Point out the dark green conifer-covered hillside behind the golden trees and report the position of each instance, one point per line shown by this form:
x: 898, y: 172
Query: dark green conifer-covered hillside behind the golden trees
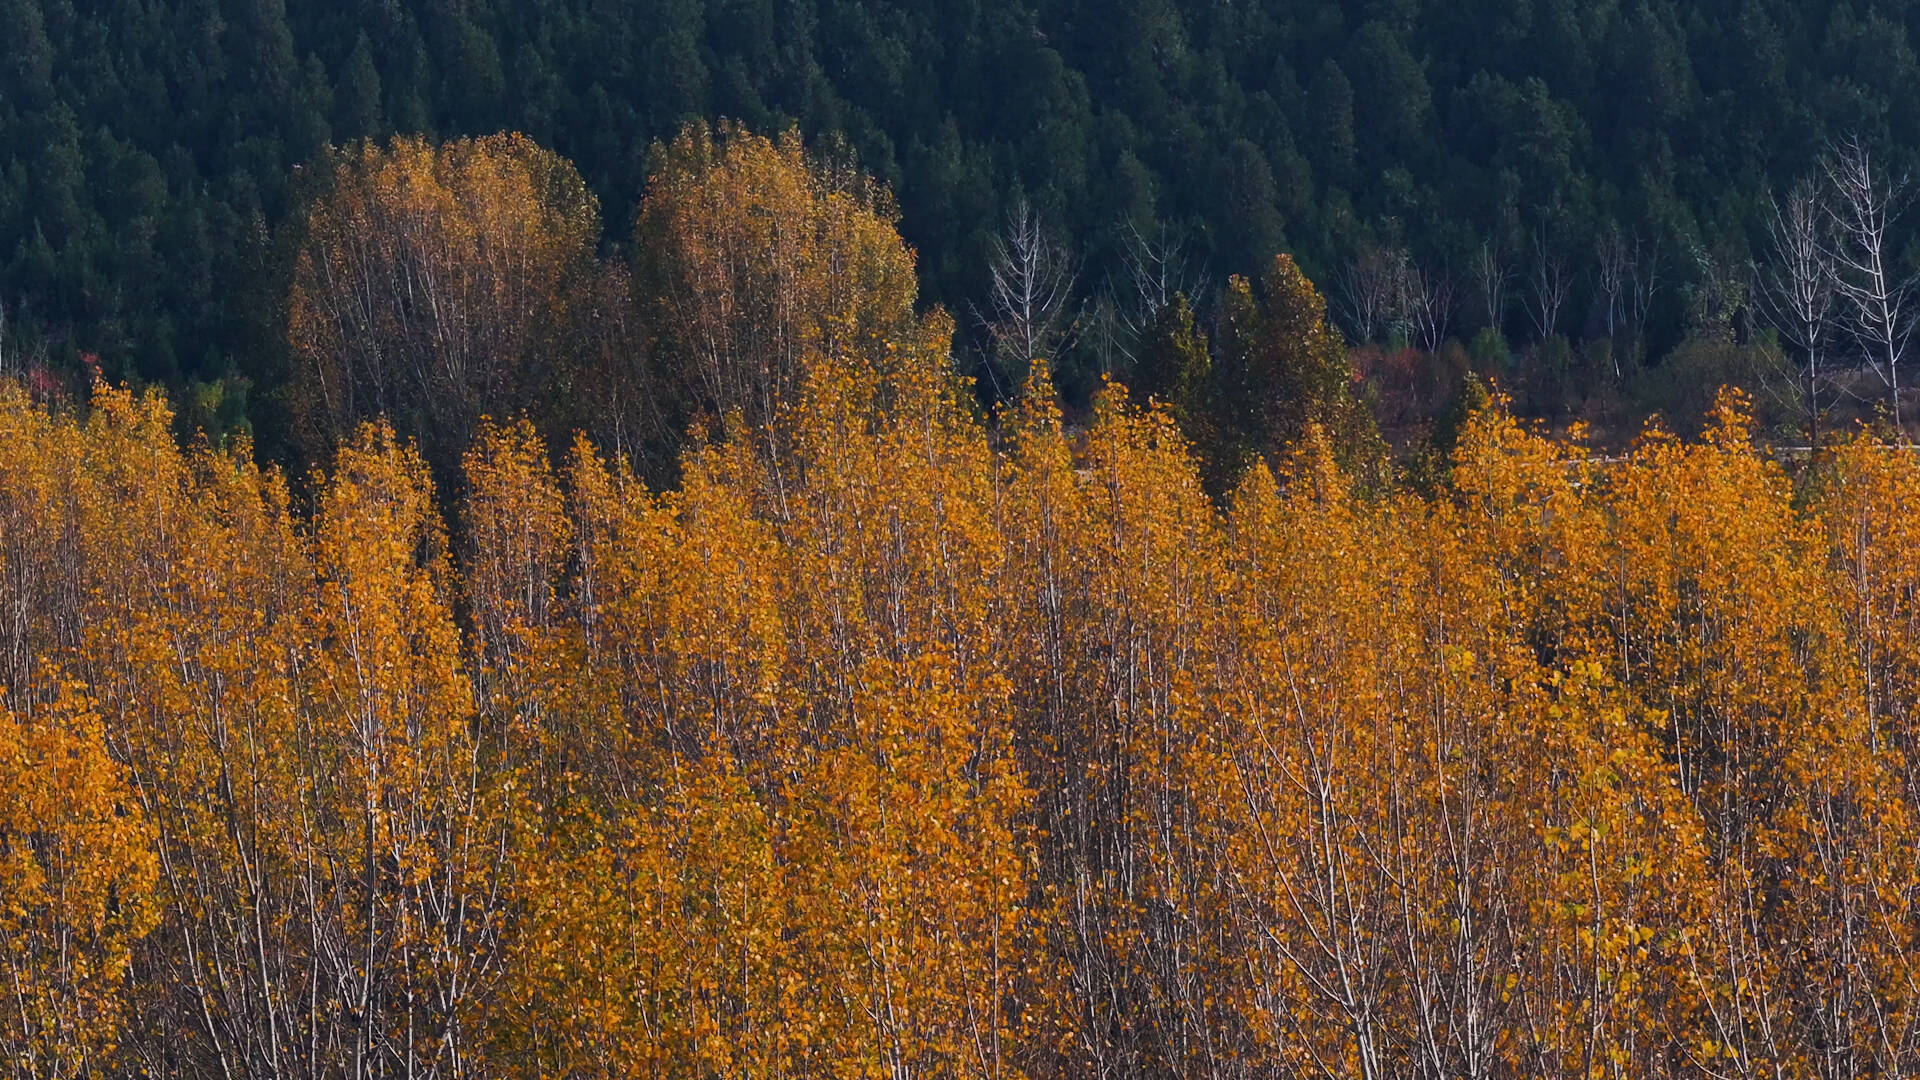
x: 155, y: 157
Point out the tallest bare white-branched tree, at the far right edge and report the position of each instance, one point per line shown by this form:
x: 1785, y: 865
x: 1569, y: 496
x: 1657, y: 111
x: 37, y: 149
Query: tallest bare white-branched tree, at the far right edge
x: 1879, y: 301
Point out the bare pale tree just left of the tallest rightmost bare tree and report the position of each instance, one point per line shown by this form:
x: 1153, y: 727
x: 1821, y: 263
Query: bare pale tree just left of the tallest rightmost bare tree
x: 1798, y: 287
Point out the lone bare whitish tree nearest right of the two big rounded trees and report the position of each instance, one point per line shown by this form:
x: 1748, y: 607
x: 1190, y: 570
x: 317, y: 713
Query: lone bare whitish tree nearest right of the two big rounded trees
x: 1030, y: 303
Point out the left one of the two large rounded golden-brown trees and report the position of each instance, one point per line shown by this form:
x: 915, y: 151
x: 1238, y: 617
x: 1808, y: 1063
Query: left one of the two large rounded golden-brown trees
x: 433, y: 283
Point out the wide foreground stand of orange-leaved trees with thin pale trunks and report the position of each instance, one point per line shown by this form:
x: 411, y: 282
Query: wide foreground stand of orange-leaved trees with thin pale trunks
x: 898, y: 745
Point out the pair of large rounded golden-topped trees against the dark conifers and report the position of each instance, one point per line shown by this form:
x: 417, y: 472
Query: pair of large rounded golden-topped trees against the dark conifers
x: 435, y: 285
